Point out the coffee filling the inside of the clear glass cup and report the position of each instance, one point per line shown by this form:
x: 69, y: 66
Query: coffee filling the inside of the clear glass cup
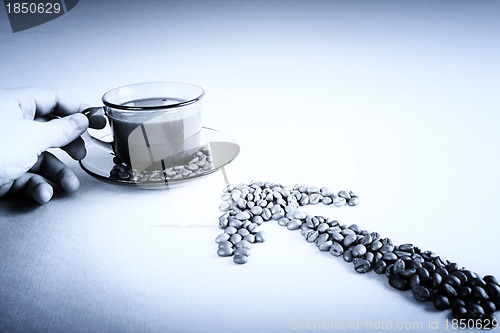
x: 143, y: 137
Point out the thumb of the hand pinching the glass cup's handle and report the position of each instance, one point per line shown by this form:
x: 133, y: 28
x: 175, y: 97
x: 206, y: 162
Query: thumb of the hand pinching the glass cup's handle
x: 59, y: 132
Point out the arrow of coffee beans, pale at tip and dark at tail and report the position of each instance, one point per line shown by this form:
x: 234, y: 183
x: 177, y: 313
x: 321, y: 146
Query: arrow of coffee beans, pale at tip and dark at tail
x: 406, y: 266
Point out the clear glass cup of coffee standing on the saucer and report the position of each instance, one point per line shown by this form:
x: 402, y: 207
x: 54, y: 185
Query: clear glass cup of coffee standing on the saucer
x: 155, y: 125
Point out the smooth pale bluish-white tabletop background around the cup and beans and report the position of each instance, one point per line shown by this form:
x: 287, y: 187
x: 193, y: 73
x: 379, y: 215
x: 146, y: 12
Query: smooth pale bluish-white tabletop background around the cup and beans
x: 396, y: 101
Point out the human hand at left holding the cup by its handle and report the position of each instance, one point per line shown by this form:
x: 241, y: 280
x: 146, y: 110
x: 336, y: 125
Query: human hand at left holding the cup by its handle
x: 32, y: 121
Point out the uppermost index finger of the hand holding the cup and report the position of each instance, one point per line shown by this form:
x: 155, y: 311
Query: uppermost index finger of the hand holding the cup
x: 41, y: 102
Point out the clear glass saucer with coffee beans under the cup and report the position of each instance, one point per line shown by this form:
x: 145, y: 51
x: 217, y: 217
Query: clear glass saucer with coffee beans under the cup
x: 218, y: 151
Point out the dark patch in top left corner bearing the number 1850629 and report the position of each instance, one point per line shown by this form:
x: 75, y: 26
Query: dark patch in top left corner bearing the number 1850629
x: 25, y: 14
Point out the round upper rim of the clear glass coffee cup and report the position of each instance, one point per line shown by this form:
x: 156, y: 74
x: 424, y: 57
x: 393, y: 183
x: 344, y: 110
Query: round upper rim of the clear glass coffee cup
x: 154, y: 107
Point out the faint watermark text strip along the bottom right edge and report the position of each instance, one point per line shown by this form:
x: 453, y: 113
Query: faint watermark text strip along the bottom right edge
x: 380, y: 325
